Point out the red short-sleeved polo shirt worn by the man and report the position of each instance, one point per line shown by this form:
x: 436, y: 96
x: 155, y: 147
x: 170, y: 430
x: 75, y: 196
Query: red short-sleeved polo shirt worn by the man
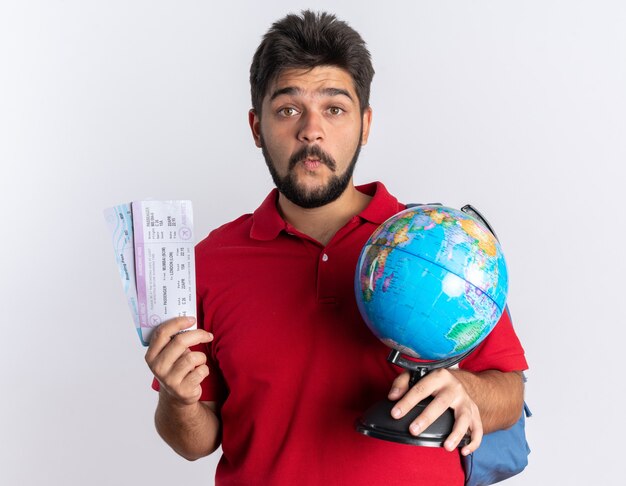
x: 292, y: 363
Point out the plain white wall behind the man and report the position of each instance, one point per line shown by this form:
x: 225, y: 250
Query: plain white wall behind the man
x: 518, y: 107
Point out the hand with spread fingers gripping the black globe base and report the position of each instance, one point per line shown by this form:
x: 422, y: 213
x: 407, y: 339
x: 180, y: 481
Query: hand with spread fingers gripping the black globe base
x: 447, y: 392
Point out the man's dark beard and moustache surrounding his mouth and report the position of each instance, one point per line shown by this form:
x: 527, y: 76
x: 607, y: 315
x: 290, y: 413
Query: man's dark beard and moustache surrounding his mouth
x: 289, y: 187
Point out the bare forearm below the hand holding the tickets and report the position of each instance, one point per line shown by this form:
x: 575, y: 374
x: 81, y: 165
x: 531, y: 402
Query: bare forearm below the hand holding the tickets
x: 193, y: 431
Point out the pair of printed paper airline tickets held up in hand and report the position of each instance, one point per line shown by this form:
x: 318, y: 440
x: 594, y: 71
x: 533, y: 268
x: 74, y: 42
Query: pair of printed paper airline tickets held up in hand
x: 153, y: 243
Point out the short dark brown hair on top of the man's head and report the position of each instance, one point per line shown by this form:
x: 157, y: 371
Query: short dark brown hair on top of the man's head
x: 307, y: 41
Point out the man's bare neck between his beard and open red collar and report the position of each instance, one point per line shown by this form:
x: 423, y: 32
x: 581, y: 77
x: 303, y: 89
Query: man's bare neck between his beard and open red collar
x: 322, y: 223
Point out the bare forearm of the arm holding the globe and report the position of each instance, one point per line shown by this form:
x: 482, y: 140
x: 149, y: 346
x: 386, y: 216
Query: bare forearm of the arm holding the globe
x: 499, y: 396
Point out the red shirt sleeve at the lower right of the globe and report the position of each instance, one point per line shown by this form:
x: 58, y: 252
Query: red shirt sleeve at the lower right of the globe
x: 501, y: 350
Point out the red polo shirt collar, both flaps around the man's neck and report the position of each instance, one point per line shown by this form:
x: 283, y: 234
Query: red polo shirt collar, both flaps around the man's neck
x: 267, y: 223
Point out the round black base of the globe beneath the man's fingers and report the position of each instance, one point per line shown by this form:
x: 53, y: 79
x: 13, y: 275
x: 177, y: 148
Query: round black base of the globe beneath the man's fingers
x: 377, y: 422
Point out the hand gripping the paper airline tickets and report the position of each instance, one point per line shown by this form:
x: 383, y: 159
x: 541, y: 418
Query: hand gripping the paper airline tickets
x: 178, y: 369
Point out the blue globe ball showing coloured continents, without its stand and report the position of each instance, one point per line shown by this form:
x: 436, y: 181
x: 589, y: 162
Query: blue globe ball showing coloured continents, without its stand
x: 431, y: 282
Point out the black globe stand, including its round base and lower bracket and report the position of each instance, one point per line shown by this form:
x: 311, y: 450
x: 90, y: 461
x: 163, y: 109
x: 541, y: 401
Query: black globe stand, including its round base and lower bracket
x: 377, y: 422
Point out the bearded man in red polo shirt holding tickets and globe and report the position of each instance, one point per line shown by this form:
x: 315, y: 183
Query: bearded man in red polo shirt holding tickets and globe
x: 281, y: 364
